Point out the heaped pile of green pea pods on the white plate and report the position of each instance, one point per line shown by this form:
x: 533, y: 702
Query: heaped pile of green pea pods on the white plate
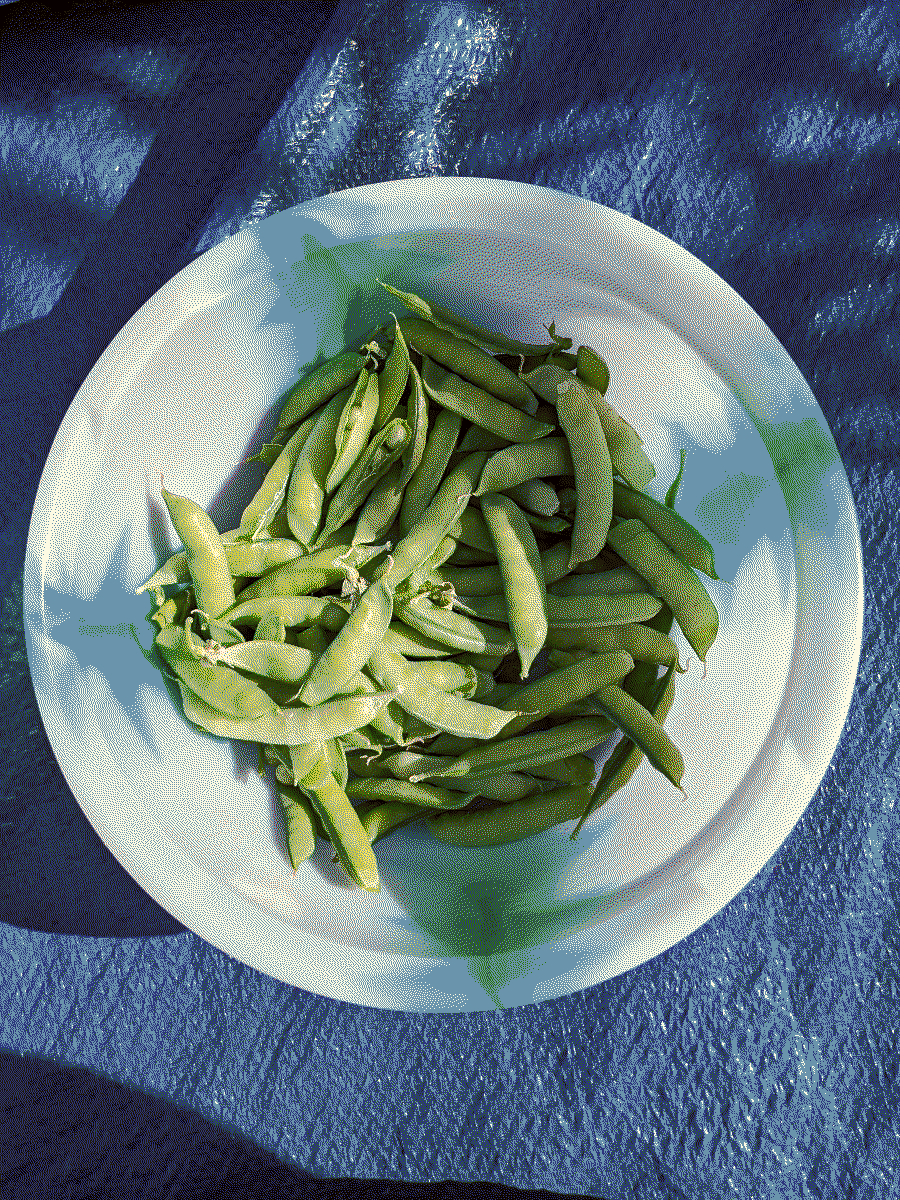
x: 441, y: 507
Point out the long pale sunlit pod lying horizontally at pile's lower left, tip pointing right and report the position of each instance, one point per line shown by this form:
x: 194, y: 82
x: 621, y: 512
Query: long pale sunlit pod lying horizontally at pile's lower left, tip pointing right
x: 289, y: 727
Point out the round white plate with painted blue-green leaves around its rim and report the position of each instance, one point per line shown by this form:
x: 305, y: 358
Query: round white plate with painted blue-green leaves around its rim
x: 187, y: 388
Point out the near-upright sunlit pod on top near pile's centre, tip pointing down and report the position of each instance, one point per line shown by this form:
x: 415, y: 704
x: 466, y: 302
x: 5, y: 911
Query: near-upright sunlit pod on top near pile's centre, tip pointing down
x: 523, y: 575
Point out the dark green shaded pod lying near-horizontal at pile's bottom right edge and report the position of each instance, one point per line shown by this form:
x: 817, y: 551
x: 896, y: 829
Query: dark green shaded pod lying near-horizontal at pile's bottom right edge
x: 523, y: 819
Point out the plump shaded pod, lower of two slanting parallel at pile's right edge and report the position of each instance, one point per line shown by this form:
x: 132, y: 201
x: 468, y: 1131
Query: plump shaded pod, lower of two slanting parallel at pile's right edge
x: 675, y: 583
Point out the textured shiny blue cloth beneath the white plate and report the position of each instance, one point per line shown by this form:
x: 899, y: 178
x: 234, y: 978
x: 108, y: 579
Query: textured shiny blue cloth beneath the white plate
x: 759, y: 1058
